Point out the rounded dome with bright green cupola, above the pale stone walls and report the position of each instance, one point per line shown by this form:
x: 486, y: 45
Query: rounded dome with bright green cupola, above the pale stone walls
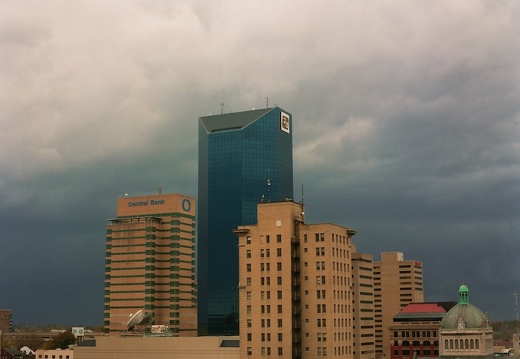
x: 464, y: 315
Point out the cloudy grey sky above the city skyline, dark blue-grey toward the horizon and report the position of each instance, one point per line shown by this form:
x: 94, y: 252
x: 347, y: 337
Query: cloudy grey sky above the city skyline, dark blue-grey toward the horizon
x: 406, y: 128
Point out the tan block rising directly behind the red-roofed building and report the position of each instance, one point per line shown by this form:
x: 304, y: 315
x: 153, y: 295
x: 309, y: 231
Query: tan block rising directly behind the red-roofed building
x: 397, y: 282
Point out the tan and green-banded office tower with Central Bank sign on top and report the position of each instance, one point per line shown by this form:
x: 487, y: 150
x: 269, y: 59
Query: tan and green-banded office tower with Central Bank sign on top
x: 150, y: 263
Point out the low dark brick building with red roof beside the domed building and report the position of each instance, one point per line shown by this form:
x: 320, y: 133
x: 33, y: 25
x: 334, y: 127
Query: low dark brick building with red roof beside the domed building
x: 415, y: 330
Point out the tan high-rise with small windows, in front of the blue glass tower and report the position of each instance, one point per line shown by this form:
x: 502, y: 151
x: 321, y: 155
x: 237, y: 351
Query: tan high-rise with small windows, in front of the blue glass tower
x: 295, y: 286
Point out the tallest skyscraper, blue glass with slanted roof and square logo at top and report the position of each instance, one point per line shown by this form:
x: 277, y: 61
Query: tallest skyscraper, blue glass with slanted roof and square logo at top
x: 244, y: 158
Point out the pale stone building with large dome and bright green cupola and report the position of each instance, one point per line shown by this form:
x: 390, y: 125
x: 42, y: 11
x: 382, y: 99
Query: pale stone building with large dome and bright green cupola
x: 465, y: 330
